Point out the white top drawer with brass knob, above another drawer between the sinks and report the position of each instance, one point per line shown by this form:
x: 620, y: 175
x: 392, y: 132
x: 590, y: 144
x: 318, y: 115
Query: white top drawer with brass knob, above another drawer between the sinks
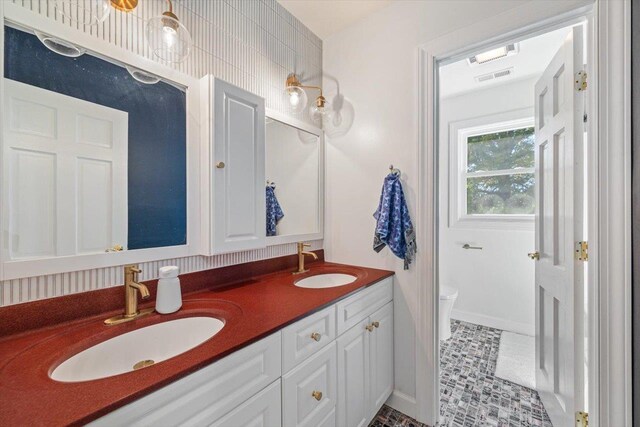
x: 305, y: 337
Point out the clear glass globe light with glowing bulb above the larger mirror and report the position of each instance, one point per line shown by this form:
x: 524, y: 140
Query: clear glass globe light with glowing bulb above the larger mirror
x: 168, y: 39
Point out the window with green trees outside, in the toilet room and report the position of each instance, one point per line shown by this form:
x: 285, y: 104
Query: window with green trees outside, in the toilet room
x: 499, y: 176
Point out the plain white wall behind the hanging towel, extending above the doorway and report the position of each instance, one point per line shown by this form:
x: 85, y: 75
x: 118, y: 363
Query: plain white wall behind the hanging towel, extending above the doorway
x: 375, y: 62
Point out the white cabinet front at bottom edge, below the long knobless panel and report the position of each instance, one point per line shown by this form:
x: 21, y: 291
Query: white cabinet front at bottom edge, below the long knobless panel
x: 263, y: 409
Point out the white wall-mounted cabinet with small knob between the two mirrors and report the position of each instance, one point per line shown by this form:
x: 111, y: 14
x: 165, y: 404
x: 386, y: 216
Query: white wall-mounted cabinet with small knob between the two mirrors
x: 234, y: 162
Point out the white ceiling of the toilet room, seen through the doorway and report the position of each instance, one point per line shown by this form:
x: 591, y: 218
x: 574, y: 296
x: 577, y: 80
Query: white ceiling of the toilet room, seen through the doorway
x: 534, y: 55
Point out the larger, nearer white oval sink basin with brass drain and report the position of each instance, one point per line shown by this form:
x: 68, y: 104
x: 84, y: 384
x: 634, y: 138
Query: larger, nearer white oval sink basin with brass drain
x: 142, y: 347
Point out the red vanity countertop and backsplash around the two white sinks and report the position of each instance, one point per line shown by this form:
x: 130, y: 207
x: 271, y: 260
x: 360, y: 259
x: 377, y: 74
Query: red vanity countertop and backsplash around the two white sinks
x: 252, y: 307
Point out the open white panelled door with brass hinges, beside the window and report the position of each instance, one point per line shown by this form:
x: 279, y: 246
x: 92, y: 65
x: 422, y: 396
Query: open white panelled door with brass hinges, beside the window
x: 559, y: 220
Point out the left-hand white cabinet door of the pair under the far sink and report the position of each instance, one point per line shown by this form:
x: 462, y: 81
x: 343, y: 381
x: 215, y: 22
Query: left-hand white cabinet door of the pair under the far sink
x: 353, y: 409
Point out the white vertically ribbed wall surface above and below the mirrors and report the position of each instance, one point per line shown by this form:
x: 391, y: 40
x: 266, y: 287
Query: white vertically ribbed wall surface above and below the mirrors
x: 253, y: 44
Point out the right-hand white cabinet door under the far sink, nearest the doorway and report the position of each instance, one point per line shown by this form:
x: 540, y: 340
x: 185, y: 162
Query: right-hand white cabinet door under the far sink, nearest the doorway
x: 381, y: 356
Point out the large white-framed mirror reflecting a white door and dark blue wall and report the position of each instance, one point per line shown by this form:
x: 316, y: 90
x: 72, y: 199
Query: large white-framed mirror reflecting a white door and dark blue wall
x: 100, y: 166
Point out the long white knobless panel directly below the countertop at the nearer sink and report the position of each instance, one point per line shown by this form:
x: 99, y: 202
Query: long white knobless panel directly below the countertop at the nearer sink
x: 206, y: 395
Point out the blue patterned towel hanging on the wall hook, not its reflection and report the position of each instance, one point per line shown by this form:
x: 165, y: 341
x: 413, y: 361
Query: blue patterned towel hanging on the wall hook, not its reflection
x: 393, y: 223
